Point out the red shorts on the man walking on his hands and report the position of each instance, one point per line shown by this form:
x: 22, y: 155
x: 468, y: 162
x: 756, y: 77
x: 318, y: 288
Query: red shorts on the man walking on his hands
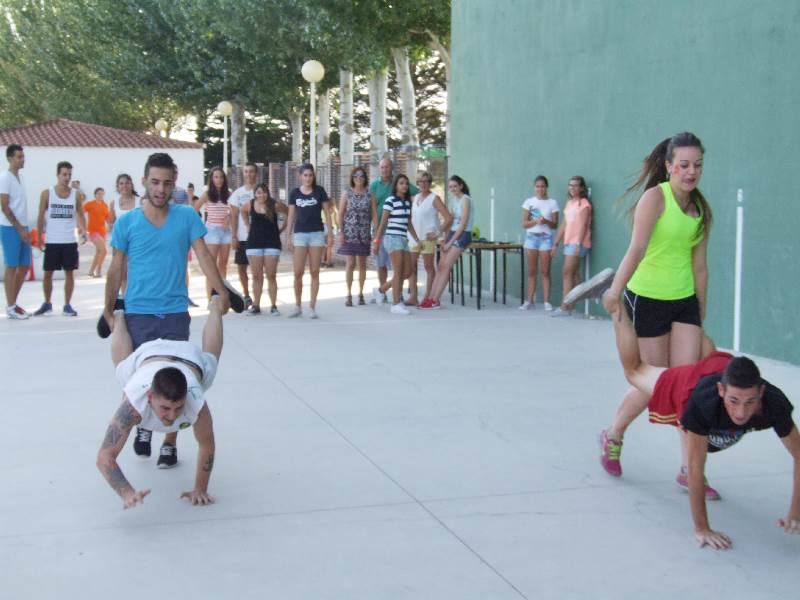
x: 675, y: 385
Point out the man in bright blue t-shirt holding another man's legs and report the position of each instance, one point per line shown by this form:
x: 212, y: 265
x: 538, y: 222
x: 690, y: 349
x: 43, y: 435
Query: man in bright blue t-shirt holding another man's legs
x: 155, y: 240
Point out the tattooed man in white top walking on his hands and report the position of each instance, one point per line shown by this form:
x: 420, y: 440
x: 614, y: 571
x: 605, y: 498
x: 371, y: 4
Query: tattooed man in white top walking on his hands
x: 164, y: 382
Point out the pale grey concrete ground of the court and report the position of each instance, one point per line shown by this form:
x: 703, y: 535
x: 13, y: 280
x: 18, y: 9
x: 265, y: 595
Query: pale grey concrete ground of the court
x: 448, y: 454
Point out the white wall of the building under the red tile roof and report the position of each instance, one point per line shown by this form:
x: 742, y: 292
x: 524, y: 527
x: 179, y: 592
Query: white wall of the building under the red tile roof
x: 99, y: 167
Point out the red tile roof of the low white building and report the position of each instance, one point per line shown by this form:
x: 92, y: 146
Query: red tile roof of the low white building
x: 63, y: 132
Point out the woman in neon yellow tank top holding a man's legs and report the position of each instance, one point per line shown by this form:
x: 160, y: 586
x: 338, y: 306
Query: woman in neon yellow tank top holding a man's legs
x: 662, y: 278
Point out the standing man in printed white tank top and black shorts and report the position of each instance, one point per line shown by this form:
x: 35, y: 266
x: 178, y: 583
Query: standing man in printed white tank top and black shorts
x: 60, y: 211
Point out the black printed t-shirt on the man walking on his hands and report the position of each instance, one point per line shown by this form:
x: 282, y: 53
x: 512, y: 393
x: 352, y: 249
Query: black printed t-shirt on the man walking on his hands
x: 705, y: 414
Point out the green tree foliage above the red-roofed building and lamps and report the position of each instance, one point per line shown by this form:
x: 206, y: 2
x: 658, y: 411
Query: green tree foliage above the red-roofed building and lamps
x: 126, y: 63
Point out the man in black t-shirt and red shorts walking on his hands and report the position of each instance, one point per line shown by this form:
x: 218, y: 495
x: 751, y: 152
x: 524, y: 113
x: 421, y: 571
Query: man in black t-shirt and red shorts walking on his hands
x: 717, y: 401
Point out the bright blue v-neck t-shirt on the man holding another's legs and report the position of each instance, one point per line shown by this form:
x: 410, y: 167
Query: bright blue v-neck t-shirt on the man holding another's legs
x: 157, y: 258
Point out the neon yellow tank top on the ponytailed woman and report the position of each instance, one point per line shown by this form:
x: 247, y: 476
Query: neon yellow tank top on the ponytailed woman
x: 665, y: 272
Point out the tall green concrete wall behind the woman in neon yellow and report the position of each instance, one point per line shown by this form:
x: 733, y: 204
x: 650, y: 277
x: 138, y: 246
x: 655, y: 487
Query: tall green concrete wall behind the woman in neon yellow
x: 588, y: 88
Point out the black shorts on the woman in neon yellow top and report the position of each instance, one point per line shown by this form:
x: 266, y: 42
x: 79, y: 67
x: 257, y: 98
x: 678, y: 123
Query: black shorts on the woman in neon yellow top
x: 654, y: 318
